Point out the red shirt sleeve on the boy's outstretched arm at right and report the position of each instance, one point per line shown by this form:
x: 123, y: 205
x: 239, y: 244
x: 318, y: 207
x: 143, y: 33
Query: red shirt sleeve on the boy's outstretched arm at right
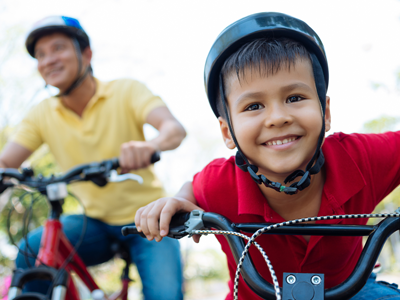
x: 378, y: 157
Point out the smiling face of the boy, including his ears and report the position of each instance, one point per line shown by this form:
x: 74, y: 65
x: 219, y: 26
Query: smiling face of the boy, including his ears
x: 276, y: 118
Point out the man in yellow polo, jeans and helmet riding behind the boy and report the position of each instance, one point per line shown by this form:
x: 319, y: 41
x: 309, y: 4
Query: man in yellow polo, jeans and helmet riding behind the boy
x: 90, y: 120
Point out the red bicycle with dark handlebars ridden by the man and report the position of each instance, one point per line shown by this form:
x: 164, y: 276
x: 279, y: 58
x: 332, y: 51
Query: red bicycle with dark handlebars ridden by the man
x: 57, y: 258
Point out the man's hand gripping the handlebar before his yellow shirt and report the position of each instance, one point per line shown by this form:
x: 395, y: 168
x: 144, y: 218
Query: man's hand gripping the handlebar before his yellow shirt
x: 136, y: 155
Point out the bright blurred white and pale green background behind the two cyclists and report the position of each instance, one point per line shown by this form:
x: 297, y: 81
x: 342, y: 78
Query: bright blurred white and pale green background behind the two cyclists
x: 164, y: 44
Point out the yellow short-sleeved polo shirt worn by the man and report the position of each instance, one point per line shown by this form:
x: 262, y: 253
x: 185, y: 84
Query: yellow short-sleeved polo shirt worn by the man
x: 115, y: 115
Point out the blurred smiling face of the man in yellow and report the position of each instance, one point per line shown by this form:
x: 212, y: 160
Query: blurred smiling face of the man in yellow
x: 57, y: 60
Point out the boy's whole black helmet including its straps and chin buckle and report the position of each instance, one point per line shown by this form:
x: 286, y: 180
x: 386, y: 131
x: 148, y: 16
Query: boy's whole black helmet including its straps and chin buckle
x: 268, y: 25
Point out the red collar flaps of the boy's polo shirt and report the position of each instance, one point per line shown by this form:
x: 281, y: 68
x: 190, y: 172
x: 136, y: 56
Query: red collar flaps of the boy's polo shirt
x: 343, y: 180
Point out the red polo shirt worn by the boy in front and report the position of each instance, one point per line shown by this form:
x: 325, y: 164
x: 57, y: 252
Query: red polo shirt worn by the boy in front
x: 361, y: 169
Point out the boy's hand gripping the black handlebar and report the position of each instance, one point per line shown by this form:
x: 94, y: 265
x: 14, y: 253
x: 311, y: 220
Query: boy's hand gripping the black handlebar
x: 154, y: 219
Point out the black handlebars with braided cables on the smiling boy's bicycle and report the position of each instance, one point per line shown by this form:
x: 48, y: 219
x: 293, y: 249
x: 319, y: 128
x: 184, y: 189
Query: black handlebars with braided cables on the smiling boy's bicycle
x: 295, y: 285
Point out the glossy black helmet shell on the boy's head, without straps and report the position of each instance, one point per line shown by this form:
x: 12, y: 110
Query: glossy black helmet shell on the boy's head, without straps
x: 265, y: 24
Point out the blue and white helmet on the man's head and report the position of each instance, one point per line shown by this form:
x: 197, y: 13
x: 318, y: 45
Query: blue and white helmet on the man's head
x: 67, y: 25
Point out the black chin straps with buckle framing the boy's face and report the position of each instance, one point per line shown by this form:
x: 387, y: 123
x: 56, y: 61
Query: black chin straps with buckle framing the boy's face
x: 316, y: 162
